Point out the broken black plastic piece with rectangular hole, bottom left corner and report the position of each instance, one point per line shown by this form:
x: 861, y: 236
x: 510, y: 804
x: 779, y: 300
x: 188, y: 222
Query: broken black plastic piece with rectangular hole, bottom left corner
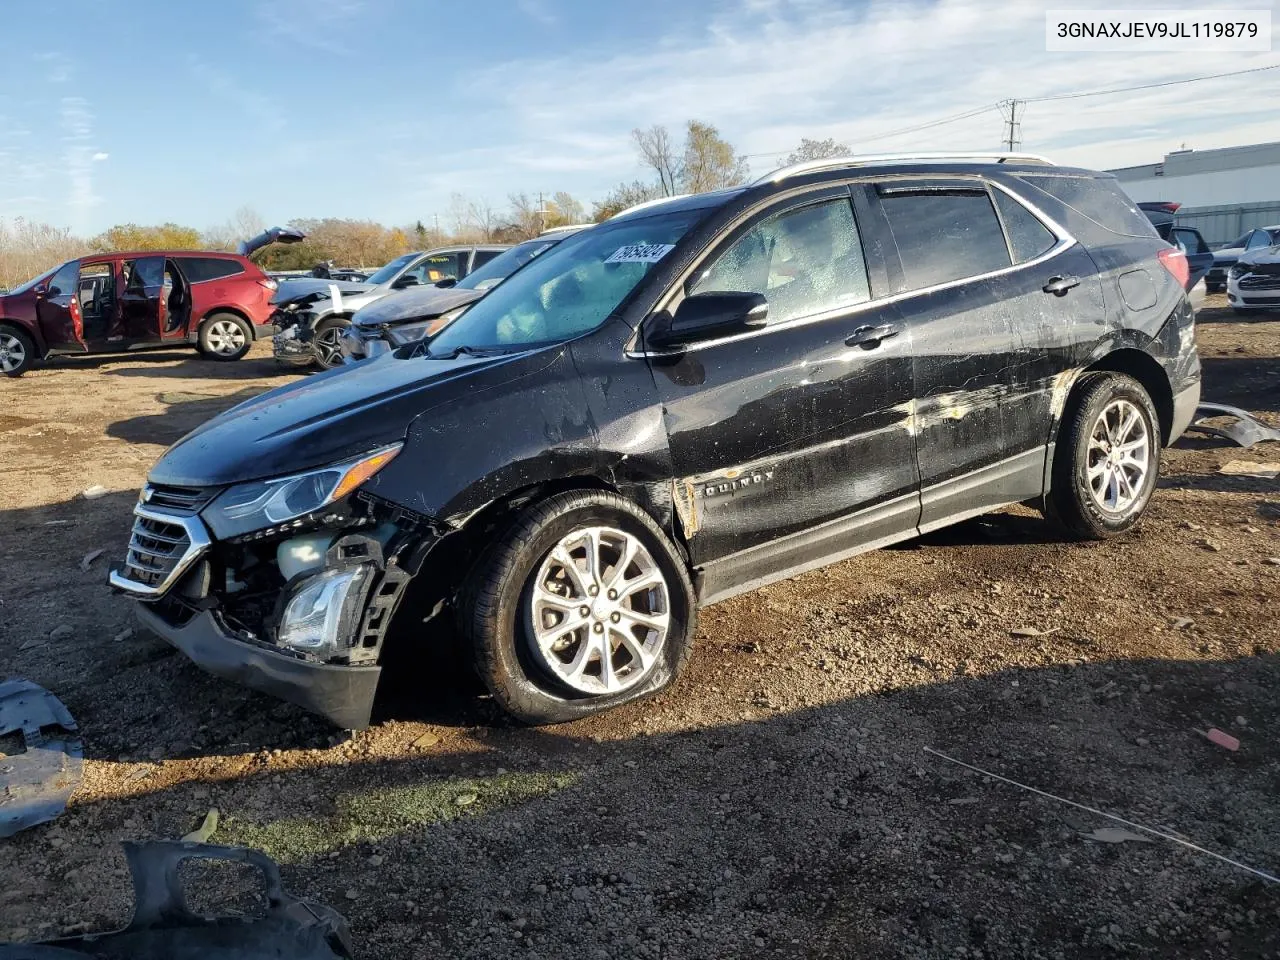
x: 164, y: 927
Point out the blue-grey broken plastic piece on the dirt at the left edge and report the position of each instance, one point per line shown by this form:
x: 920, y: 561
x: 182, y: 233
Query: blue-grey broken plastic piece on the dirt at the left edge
x: 42, y: 756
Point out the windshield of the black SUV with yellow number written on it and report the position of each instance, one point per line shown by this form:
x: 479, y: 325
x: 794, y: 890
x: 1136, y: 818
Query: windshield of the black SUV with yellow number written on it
x: 570, y: 290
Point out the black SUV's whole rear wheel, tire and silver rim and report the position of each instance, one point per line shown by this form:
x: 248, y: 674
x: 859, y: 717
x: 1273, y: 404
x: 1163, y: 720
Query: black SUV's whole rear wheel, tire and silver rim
x: 1101, y: 482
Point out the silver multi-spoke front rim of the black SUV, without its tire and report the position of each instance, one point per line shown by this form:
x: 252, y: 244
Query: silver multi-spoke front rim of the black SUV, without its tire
x: 600, y: 611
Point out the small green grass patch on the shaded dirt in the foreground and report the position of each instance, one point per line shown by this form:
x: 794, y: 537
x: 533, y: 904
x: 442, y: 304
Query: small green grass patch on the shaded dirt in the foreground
x: 383, y: 812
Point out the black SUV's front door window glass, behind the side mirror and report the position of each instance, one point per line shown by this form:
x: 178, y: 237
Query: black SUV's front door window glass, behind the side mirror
x: 803, y: 262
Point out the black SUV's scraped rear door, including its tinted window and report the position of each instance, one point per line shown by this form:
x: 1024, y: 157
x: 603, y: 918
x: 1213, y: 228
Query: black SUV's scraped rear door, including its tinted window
x: 971, y: 431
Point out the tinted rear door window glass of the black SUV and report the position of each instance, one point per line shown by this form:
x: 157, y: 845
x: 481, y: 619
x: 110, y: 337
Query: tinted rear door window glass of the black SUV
x: 945, y: 235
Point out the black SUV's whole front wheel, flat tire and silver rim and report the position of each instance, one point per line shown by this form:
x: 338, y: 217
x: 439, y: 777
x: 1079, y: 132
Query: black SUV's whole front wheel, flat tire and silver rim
x: 501, y: 606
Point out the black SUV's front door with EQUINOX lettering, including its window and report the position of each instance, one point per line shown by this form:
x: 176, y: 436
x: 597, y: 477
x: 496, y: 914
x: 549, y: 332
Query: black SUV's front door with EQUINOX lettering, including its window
x: 792, y: 445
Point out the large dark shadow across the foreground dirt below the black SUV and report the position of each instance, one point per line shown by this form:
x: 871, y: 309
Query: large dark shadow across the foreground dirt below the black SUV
x: 826, y: 831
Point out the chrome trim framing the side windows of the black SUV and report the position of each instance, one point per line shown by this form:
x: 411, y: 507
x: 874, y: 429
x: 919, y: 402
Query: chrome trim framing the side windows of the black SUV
x: 1066, y: 241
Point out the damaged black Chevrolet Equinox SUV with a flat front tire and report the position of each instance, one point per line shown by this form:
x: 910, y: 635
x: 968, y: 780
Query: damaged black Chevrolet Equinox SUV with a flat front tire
x: 697, y: 397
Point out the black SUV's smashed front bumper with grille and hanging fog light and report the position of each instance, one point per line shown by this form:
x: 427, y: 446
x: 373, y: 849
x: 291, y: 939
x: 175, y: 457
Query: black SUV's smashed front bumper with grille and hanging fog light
x: 296, y: 612
